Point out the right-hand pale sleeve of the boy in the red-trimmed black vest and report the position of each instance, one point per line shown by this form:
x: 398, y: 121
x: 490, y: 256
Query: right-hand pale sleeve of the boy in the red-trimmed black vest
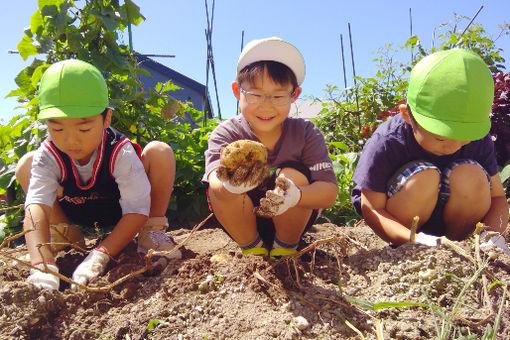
x: 134, y: 186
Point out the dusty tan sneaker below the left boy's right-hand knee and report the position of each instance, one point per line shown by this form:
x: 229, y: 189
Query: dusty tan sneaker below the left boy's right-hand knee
x: 154, y: 237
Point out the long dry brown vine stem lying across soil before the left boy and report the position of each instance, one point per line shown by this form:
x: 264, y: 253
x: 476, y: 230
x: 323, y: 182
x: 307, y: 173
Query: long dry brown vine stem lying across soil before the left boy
x: 107, y: 287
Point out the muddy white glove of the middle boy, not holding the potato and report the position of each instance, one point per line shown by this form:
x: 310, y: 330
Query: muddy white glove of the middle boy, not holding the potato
x: 284, y: 196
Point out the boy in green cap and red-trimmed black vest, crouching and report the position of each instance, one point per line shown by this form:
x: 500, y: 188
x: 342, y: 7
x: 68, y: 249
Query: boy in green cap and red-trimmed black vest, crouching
x: 86, y: 173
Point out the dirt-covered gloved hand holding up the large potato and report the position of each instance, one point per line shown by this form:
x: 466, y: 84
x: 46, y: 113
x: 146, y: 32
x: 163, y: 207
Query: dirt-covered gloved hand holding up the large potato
x: 243, y: 179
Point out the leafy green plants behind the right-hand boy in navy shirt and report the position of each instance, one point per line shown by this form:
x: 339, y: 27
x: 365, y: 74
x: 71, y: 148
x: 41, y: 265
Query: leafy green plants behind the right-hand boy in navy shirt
x: 350, y: 116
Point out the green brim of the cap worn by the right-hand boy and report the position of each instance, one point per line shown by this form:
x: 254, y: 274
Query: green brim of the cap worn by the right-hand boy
x: 465, y: 131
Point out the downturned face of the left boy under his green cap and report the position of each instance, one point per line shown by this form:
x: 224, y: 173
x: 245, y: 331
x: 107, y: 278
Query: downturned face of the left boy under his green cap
x: 78, y: 137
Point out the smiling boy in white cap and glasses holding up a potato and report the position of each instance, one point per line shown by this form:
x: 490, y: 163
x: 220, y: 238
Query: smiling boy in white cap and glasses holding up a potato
x: 269, y: 73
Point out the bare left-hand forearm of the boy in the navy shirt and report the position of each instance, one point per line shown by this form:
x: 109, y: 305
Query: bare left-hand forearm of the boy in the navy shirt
x: 373, y: 208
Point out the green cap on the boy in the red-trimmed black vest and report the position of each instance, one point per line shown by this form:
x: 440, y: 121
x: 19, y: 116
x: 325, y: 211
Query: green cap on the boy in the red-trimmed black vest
x: 72, y: 89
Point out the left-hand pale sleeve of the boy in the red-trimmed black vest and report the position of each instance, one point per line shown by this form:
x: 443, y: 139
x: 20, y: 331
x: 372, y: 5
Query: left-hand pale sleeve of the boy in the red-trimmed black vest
x: 44, y: 179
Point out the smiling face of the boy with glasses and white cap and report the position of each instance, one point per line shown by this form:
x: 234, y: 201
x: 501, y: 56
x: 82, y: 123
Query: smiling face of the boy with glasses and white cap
x: 265, y: 118
